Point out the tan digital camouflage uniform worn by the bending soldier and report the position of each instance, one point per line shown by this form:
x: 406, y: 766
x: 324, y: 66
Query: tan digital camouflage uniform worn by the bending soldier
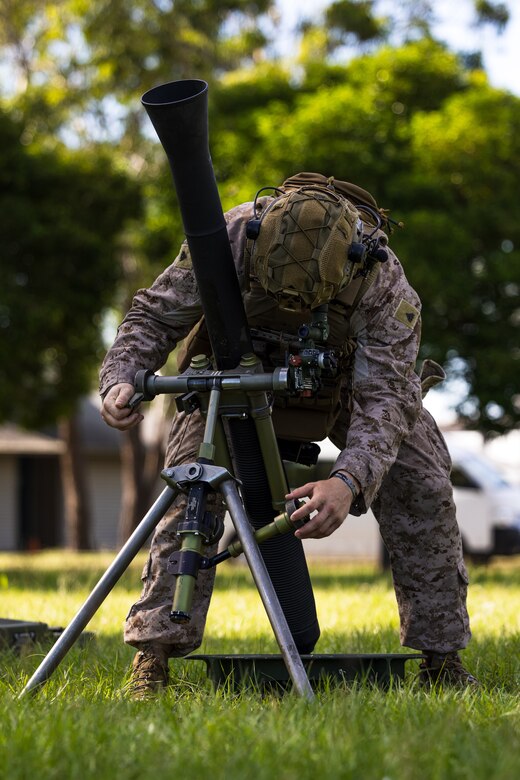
x: 388, y: 441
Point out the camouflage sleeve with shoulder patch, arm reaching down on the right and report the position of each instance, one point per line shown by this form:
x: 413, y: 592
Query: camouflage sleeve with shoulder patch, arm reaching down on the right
x: 386, y: 392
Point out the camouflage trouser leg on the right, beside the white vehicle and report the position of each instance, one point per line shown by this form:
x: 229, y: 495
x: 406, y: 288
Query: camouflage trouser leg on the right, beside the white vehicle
x: 416, y: 516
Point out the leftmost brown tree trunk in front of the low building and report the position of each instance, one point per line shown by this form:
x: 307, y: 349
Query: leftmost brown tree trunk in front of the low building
x: 75, y: 489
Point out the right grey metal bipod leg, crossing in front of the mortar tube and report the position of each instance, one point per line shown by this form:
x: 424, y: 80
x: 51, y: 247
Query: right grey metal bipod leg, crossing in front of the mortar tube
x: 266, y: 590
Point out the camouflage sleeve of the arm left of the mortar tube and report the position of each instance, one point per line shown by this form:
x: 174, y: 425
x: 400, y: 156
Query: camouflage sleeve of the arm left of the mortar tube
x: 158, y: 319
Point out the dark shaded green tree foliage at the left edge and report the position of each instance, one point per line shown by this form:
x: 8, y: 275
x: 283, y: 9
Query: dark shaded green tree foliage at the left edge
x: 61, y: 217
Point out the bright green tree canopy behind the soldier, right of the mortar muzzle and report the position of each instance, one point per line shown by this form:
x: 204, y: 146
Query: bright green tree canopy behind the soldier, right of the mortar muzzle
x: 439, y: 147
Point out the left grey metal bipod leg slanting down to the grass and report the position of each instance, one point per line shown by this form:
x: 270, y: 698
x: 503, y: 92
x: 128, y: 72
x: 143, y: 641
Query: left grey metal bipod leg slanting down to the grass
x: 101, y: 590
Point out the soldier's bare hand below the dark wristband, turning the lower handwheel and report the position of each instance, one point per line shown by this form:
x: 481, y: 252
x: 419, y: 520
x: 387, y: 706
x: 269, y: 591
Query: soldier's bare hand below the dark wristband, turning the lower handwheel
x: 330, y: 499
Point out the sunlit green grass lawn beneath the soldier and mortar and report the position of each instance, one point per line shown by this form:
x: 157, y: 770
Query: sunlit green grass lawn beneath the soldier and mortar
x: 80, y: 726
